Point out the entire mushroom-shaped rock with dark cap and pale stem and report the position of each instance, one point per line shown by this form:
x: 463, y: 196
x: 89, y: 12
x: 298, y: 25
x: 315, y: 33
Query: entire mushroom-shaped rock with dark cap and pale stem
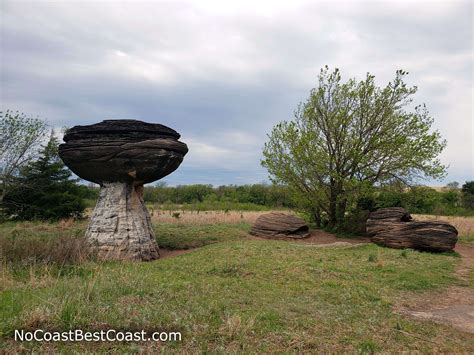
x: 121, y: 156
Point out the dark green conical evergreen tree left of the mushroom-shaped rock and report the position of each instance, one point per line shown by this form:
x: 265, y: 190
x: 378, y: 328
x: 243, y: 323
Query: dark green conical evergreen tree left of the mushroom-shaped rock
x: 44, y: 190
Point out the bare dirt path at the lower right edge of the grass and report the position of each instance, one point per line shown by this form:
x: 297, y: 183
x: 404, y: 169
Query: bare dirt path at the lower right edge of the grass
x: 453, y: 306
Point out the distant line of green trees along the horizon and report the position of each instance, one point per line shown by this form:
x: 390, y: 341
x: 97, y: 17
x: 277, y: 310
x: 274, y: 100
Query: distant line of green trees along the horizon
x: 449, y: 200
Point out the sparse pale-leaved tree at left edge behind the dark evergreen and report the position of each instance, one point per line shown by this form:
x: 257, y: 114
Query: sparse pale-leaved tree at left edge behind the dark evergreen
x: 20, y: 136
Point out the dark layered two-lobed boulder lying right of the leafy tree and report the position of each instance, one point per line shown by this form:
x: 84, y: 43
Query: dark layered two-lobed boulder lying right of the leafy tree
x: 393, y: 227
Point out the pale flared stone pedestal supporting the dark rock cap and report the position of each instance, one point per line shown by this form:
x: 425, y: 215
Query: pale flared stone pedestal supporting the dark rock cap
x: 120, y: 226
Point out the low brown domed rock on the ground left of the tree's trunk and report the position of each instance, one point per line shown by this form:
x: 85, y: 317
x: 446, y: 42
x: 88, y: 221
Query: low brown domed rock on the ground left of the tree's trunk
x: 279, y: 225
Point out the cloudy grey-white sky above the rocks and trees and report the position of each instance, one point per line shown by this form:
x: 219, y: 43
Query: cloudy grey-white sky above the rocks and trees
x: 222, y: 73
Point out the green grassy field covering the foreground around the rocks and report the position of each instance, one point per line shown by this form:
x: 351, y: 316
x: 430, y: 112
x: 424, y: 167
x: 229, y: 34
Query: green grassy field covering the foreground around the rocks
x: 232, y: 294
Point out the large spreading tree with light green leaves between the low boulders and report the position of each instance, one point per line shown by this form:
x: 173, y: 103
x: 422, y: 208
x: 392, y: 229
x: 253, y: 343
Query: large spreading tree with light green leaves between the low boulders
x: 348, y: 137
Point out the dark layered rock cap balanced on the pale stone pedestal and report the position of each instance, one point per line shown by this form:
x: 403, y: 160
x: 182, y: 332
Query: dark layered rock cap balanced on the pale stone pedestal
x: 122, y: 150
